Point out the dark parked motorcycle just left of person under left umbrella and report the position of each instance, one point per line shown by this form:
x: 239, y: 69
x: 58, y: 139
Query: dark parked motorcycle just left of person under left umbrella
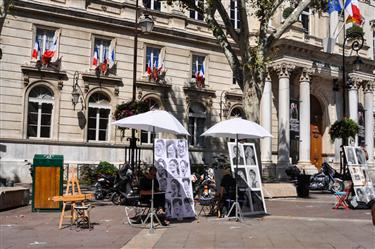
x: 122, y: 190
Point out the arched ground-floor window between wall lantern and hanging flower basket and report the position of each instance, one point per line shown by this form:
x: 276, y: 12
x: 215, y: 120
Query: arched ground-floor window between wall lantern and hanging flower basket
x: 98, y: 117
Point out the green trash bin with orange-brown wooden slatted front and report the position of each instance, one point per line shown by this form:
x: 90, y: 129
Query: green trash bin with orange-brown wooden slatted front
x: 47, y: 174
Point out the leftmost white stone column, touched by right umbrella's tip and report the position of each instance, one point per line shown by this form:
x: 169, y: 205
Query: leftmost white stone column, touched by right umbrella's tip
x: 266, y: 122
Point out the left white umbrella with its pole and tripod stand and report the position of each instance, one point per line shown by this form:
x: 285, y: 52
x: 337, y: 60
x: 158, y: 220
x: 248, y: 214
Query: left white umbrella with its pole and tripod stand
x: 155, y: 121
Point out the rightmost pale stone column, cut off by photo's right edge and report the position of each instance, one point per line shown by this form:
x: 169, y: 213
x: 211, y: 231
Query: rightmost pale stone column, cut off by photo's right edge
x: 369, y: 121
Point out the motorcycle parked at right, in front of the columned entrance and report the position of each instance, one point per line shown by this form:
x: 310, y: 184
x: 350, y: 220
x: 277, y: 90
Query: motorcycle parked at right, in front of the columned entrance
x: 327, y: 179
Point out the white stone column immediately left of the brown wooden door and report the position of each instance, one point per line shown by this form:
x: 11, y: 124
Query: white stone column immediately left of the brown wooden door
x: 304, y: 162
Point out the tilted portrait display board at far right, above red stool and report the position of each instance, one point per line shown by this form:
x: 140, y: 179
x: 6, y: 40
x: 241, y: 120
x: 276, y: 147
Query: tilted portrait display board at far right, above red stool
x: 363, y: 186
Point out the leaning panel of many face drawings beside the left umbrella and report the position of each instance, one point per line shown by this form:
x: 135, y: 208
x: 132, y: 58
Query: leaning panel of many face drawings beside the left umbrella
x: 174, y: 176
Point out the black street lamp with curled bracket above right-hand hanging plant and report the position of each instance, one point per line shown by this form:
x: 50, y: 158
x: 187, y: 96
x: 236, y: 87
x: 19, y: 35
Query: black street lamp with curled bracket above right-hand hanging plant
x: 357, y: 45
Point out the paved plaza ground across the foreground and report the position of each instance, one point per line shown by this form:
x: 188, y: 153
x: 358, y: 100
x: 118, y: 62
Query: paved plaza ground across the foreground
x: 292, y: 223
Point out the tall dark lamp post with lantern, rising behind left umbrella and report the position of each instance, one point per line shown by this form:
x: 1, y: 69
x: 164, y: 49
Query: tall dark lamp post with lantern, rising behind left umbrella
x: 147, y: 24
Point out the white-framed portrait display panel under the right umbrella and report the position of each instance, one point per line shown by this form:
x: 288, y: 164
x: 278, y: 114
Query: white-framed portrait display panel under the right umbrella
x: 249, y: 183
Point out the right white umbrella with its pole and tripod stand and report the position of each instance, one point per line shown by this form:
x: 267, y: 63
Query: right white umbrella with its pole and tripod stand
x: 237, y: 128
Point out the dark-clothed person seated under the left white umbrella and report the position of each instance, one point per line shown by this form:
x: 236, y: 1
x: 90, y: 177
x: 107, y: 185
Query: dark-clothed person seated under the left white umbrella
x: 145, y: 186
